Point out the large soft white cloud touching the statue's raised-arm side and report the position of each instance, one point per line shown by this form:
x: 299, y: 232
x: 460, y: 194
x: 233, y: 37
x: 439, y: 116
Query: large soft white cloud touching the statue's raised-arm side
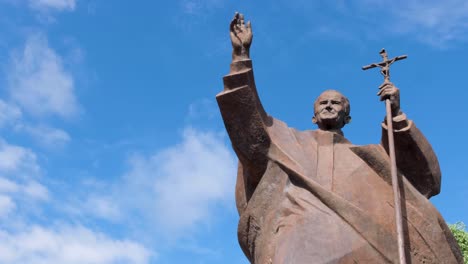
x: 177, y: 188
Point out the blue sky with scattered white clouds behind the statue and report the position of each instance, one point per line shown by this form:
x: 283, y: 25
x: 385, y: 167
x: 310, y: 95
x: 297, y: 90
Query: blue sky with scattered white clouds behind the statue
x: 112, y: 149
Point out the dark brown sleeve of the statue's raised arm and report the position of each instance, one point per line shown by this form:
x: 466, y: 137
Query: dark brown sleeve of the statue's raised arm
x: 245, y: 120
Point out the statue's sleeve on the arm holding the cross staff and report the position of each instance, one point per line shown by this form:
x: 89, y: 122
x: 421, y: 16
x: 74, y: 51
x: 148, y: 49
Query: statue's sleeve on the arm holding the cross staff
x: 415, y: 157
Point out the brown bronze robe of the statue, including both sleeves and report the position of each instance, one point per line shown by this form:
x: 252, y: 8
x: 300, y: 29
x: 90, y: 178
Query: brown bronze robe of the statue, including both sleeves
x: 313, y: 197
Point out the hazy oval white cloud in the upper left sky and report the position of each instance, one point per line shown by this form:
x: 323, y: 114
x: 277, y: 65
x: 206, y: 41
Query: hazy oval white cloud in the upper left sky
x: 38, y: 81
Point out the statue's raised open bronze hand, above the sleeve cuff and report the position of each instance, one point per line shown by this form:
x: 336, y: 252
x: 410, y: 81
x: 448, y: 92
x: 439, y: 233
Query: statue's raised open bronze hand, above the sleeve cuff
x: 241, y: 37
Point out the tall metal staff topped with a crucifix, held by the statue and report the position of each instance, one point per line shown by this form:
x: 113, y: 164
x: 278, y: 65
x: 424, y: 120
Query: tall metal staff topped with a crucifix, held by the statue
x: 385, y: 71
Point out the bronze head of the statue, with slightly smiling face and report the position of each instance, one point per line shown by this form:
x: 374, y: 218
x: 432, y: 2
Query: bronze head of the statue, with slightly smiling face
x: 331, y: 111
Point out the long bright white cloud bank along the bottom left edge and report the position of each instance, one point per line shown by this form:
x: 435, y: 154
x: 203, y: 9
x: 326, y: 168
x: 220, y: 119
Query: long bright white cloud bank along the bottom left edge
x: 68, y: 245
